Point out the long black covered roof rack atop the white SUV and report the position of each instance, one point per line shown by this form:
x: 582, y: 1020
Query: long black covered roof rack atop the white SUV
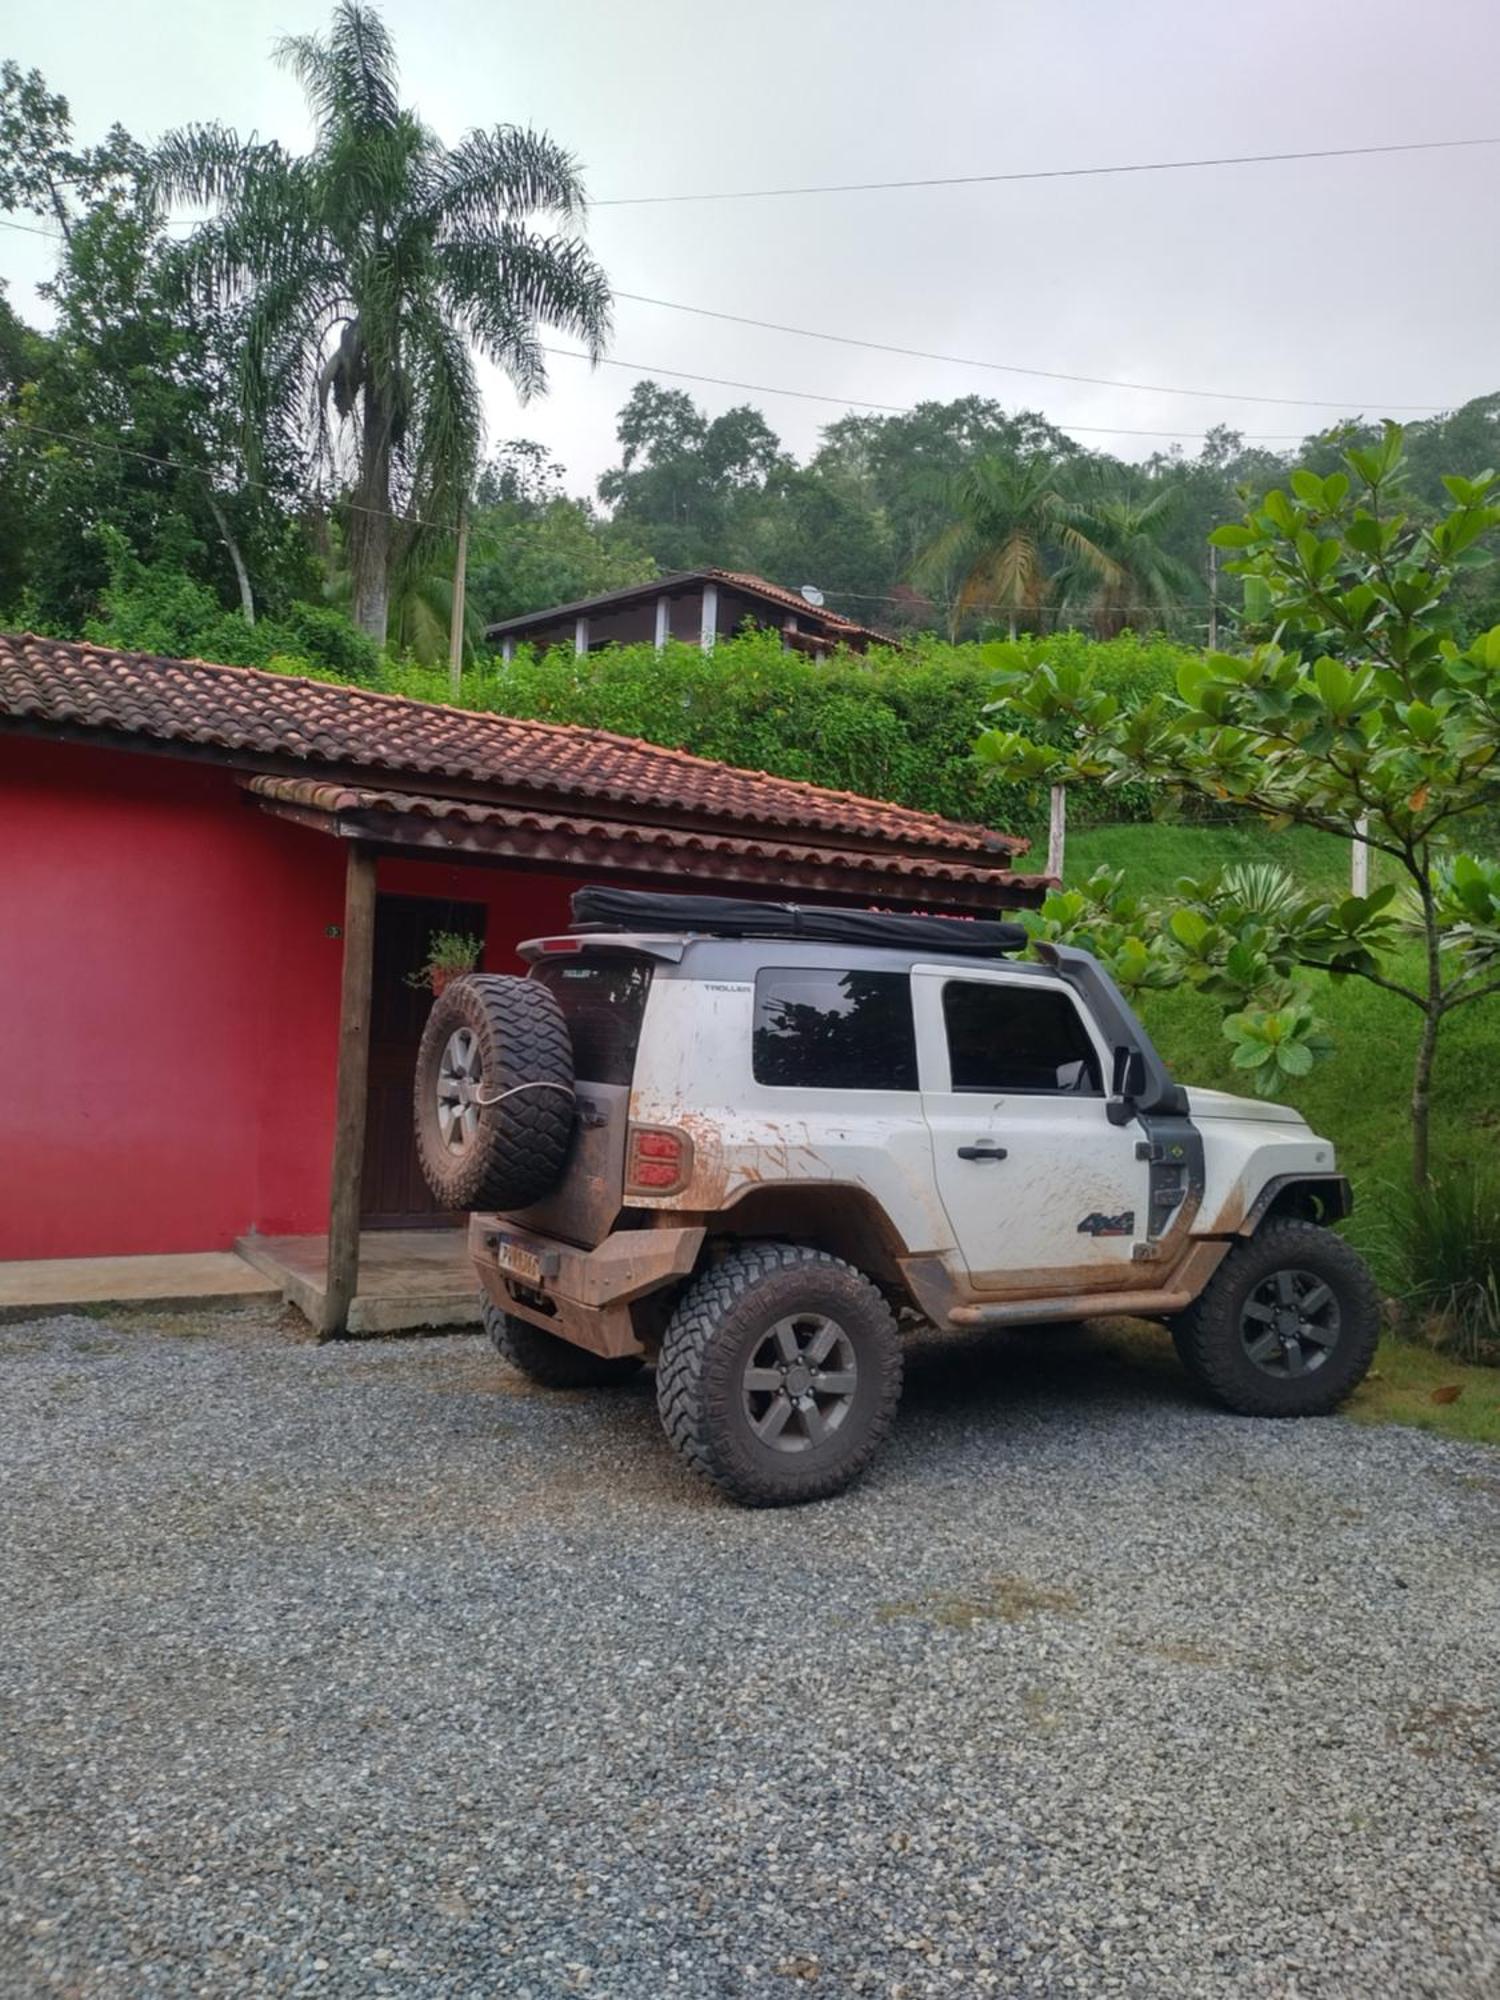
x: 729, y: 917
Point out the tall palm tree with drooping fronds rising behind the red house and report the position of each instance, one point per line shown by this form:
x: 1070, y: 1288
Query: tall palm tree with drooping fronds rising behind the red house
x: 369, y: 271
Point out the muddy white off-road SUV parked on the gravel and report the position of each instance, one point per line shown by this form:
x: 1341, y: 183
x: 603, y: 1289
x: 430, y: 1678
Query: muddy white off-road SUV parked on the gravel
x: 753, y: 1141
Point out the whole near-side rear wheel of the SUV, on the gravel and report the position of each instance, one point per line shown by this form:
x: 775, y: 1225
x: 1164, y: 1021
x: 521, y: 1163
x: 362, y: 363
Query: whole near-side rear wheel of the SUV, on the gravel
x: 721, y: 1337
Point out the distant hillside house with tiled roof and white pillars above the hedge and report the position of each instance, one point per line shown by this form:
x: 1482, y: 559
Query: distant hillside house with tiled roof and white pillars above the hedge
x: 691, y: 605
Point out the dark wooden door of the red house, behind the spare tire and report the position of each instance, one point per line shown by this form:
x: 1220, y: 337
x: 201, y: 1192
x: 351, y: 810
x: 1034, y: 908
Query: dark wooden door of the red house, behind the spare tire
x: 395, y: 1193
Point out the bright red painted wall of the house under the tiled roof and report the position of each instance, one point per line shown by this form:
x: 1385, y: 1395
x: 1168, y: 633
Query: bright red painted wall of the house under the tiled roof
x: 169, y: 1001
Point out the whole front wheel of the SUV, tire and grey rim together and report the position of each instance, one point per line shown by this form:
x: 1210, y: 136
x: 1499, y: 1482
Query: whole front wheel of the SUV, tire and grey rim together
x: 1287, y: 1325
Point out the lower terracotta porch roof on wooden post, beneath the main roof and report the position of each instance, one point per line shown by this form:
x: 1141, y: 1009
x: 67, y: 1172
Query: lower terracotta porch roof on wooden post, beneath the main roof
x: 563, y: 835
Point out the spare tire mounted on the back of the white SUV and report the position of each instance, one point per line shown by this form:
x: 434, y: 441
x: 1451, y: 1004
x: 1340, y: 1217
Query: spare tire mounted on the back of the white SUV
x: 495, y: 1093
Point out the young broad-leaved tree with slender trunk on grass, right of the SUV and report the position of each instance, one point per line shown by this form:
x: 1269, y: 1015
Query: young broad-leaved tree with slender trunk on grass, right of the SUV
x: 1363, y: 715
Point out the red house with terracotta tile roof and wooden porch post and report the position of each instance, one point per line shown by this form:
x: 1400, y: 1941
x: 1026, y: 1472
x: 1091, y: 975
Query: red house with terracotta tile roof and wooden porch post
x: 217, y: 881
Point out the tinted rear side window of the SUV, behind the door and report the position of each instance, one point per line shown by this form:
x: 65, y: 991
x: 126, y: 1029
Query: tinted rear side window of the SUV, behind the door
x: 835, y: 1031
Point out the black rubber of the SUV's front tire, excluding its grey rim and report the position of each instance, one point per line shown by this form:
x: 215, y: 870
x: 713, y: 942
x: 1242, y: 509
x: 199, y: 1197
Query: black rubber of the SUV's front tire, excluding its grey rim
x: 1211, y: 1345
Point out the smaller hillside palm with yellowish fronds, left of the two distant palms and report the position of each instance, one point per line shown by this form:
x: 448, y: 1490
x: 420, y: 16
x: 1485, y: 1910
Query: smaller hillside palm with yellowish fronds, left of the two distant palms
x: 1009, y: 517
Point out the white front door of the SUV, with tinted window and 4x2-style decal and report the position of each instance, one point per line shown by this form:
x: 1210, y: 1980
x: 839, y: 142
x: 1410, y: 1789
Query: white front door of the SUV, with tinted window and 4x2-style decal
x: 1043, y: 1193
